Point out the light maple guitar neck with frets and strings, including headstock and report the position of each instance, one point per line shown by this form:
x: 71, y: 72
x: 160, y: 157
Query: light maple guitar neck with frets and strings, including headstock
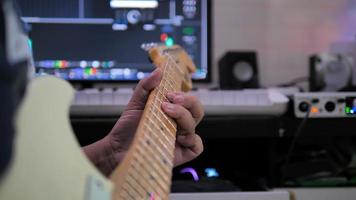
x: 146, y: 171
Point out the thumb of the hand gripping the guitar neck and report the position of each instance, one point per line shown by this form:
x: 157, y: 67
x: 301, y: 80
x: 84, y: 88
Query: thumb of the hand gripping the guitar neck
x: 143, y: 89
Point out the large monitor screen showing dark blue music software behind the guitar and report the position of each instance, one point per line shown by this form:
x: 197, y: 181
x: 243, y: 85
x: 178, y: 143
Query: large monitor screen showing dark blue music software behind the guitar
x: 100, y: 41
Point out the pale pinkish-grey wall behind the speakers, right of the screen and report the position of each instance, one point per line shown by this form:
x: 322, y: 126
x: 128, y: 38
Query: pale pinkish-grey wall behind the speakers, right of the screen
x: 284, y: 32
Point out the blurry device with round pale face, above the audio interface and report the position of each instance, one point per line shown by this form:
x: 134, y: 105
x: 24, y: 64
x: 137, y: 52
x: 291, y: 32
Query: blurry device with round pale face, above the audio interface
x: 330, y: 72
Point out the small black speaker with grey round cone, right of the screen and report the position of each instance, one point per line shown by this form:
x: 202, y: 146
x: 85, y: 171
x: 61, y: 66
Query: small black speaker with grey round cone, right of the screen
x: 238, y: 70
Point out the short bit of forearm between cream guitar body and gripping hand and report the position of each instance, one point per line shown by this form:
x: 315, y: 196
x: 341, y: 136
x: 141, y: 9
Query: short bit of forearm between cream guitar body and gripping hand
x: 102, y: 156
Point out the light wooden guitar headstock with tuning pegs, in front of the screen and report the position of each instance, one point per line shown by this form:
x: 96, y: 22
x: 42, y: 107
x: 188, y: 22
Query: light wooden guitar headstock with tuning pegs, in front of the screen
x: 177, y: 56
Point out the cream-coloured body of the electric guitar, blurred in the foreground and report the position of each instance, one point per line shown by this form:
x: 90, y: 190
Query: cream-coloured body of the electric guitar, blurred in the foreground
x: 48, y: 163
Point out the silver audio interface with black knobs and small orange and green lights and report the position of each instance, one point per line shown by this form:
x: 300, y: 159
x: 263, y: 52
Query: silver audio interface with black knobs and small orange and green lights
x: 325, y: 104
